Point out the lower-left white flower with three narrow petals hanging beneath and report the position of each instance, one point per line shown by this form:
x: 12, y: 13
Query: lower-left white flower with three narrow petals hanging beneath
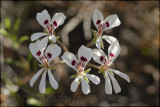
x: 44, y: 58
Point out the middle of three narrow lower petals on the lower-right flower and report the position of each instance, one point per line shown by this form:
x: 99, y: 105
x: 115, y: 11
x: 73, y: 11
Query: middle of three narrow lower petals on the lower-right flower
x: 116, y: 86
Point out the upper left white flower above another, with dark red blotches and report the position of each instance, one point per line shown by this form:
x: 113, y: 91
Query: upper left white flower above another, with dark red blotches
x: 49, y: 24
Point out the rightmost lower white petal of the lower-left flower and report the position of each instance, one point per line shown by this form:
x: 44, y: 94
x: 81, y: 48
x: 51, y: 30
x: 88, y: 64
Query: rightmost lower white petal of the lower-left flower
x: 52, y: 81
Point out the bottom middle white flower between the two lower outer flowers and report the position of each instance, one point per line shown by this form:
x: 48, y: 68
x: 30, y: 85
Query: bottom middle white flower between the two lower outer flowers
x: 84, y: 56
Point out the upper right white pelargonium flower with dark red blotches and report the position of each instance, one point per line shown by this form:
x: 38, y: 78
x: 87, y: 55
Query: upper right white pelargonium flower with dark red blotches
x: 101, y: 25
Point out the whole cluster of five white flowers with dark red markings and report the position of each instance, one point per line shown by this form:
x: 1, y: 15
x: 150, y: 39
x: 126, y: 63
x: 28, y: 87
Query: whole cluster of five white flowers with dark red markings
x: 45, y: 54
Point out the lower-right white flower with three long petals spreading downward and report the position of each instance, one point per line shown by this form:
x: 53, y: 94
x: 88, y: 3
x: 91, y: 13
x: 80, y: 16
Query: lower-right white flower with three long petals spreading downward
x: 100, y: 57
